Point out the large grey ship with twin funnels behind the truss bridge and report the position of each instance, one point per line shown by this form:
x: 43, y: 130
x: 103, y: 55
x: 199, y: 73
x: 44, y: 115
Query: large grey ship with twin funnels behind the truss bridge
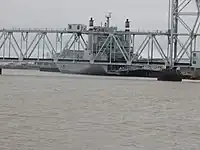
x: 102, y: 46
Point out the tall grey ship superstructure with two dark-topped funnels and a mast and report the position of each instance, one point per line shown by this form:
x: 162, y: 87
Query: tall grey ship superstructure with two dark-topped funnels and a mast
x: 105, y: 42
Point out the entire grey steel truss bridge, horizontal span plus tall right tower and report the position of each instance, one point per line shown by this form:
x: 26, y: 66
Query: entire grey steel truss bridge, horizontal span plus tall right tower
x: 169, y: 47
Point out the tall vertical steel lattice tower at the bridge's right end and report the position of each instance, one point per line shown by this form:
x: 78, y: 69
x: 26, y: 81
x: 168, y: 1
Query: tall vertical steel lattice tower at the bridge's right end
x: 180, y: 11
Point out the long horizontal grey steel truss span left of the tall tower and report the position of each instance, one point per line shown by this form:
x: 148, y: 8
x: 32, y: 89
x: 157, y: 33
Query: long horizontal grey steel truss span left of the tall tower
x: 27, y: 44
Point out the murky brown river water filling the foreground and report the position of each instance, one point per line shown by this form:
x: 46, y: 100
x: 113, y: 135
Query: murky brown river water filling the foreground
x: 48, y: 111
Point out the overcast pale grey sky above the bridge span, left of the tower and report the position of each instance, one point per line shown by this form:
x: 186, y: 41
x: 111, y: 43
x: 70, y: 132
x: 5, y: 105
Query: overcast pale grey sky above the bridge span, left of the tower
x: 148, y: 14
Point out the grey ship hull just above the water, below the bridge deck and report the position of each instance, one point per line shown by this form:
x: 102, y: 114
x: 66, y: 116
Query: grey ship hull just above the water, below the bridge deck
x: 83, y: 68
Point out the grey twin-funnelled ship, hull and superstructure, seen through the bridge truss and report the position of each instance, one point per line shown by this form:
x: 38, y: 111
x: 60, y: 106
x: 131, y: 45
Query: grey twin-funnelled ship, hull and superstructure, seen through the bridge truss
x: 94, y: 44
